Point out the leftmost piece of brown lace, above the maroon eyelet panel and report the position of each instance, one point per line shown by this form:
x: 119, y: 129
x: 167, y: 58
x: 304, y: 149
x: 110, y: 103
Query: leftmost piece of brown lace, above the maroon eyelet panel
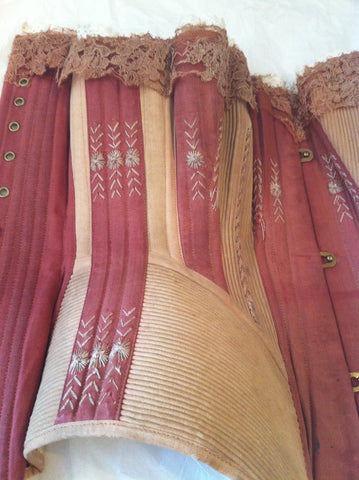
x: 35, y: 53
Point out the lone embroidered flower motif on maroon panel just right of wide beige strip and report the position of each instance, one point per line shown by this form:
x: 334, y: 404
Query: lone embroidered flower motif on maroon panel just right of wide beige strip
x: 195, y: 160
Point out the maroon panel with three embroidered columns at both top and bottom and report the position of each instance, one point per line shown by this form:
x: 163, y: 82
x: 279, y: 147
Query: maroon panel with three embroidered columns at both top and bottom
x: 107, y: 332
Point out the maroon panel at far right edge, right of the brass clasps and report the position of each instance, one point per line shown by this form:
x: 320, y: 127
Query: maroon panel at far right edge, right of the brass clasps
x: 334, y: 203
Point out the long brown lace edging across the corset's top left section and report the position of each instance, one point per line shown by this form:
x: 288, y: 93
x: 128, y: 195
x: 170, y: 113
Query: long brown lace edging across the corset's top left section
x: 140, y: 60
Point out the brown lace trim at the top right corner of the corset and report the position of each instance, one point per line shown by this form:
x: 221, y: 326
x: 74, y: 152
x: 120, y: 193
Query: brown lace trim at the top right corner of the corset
x: 330, y: 85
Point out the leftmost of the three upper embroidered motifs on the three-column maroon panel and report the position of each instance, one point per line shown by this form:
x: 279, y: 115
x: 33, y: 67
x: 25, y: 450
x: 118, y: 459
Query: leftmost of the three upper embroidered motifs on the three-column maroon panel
x: 97, y: 163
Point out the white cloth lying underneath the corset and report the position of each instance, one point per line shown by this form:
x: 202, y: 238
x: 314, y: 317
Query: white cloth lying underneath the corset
x: 278, y: 37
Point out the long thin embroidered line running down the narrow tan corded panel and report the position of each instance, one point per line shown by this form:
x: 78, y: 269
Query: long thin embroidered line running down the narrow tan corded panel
x: 237, y: 229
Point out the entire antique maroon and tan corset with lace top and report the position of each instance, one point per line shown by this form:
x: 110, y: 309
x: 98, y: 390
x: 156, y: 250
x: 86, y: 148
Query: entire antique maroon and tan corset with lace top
x: 161, y: 238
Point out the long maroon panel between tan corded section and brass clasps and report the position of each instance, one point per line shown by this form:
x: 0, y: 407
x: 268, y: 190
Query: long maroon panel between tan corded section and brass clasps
x: 291, y: 267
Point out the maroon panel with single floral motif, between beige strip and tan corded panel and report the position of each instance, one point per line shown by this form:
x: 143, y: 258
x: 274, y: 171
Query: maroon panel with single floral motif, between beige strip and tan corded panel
x: 198, y: 117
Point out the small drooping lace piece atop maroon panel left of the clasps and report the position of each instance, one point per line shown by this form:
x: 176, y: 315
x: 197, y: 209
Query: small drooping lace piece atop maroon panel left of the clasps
x: 282, y: 105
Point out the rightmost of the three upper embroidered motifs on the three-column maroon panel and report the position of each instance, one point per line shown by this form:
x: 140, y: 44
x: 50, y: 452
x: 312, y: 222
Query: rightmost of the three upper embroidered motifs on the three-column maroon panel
x: 132, y: 159
